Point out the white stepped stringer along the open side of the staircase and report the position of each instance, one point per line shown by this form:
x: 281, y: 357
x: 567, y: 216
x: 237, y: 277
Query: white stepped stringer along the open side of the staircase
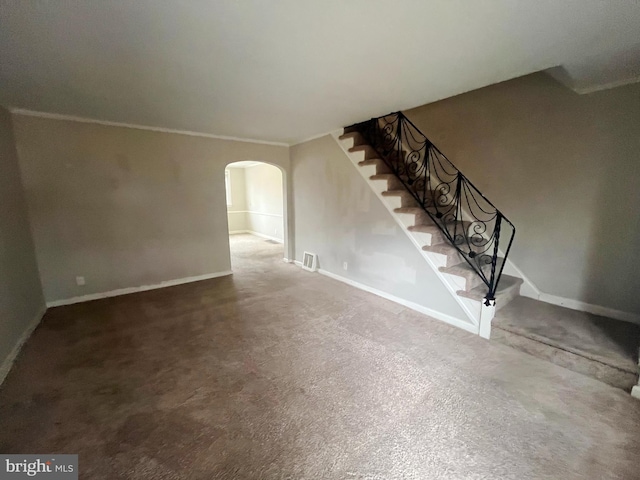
x: 472, y: 308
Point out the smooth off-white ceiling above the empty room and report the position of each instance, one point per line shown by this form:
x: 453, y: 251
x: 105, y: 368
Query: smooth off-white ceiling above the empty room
x: 285, y: 70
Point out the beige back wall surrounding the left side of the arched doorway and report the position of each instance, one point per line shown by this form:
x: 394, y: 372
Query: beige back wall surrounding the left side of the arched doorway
x: 126, y: 207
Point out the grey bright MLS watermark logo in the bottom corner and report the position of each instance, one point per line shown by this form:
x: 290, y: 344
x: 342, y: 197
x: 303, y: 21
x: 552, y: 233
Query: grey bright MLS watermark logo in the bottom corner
x: 49, y: 467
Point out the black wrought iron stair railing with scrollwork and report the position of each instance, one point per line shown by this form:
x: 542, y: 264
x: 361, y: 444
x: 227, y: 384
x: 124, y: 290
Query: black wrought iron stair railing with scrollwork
x: 470, y: 222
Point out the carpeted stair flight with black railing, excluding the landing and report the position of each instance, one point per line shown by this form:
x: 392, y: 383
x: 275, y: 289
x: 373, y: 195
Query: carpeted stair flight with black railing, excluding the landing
x: 458, y: 231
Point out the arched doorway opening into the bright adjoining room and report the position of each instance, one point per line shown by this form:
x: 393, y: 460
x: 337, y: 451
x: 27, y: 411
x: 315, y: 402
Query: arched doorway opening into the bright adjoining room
x: 255, y: 213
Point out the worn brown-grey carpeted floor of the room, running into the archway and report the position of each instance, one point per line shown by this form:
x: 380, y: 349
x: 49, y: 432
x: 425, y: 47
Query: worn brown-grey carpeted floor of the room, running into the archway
x: 278, y: 373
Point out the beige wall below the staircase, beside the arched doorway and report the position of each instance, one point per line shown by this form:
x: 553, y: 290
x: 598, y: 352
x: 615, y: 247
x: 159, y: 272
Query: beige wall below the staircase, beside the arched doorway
x: 338, y: 216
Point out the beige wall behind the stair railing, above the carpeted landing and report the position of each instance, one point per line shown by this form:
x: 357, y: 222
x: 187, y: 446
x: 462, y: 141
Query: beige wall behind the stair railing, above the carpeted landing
x: 565, y: 169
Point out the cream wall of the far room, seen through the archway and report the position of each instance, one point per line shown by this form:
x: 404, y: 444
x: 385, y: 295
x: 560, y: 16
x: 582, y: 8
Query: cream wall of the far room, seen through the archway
x: 264, y: 200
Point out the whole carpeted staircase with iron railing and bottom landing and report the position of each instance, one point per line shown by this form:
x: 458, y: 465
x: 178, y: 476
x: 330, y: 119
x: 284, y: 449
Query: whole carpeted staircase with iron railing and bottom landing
x: 466, y: 240
